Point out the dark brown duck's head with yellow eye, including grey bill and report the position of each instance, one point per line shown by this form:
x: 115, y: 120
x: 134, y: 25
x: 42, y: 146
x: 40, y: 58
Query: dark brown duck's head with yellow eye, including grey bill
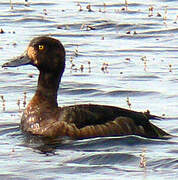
x: 46, y: 53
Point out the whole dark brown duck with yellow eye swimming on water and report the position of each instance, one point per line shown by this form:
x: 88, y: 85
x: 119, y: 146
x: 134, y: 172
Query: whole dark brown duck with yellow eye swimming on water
x: 43, y: 117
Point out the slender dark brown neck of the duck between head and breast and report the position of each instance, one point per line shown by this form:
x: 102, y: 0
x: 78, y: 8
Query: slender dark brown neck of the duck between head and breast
x: 46, y: 93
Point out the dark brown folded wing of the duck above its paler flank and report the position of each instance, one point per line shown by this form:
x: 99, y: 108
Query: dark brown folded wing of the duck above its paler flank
x: 90, y: 114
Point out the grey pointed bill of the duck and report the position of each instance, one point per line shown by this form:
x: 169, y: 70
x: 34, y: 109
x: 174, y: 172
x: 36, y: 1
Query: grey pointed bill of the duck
x: 18, y: 61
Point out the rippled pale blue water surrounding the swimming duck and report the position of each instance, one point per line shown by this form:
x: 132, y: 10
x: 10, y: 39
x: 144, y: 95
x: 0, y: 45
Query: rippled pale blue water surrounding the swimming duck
x: 141, y: 51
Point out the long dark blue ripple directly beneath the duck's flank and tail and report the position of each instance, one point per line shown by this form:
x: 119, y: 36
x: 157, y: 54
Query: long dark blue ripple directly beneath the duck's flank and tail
x: 106, y: 144
